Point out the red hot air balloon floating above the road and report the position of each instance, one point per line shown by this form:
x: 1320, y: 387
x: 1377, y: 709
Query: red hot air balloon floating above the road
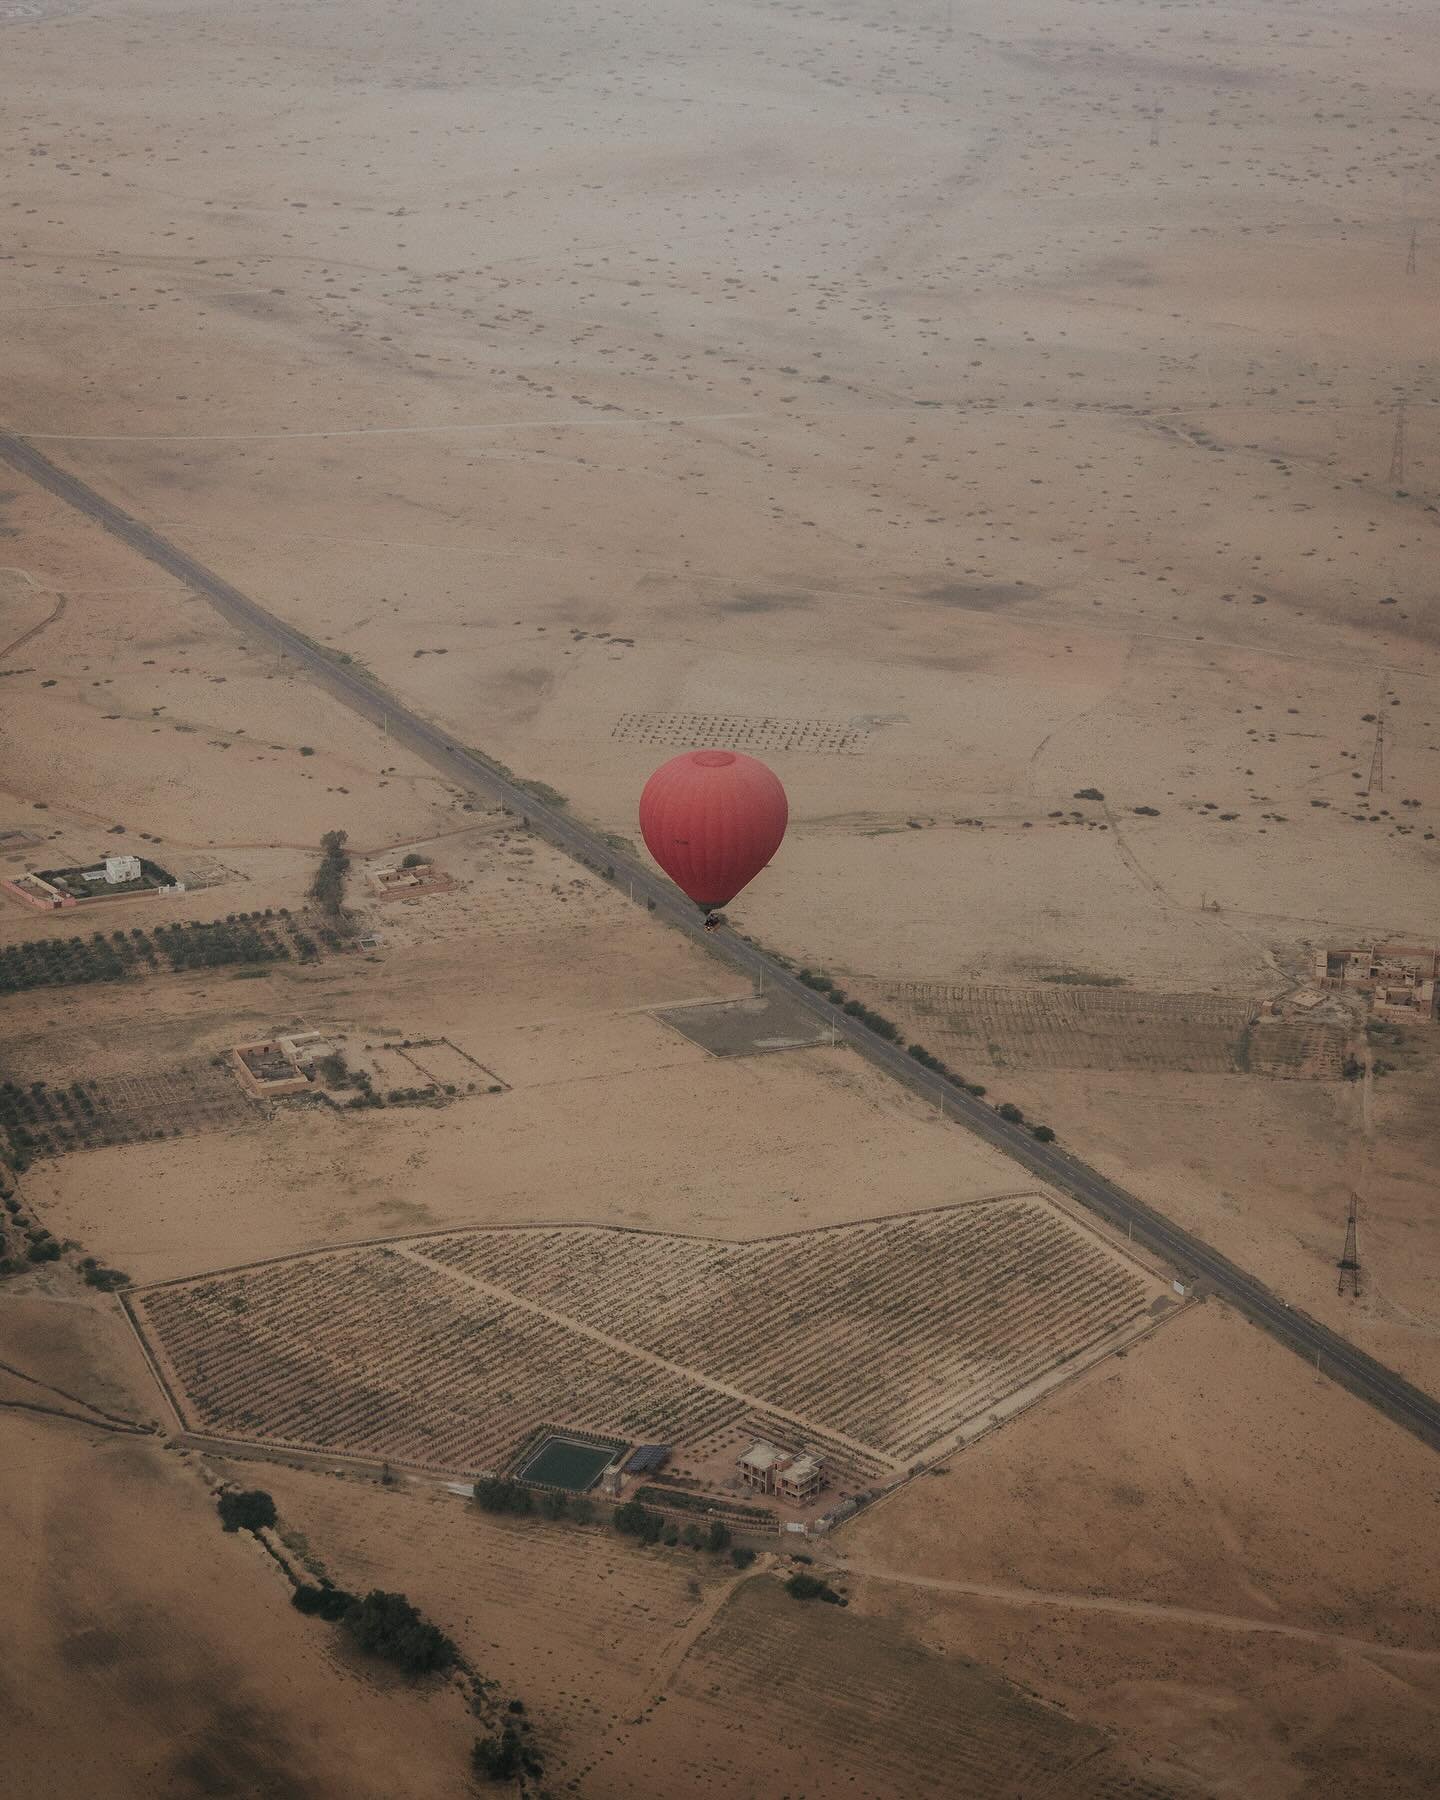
x: 714, y: 820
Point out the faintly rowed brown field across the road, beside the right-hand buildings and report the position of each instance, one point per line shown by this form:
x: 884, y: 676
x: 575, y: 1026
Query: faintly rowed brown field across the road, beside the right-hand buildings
x: 1063, y: 1027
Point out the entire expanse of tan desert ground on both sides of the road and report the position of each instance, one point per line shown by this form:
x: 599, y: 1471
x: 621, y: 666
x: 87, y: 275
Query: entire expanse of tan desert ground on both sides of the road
x: 544, y: 366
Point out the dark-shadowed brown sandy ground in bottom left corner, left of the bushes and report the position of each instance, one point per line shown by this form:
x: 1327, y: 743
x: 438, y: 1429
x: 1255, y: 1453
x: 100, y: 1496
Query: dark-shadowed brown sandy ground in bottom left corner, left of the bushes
x: 141, y: 1623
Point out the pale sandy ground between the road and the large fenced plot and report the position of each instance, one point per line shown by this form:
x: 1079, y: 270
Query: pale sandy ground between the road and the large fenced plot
x: 562, y: 1012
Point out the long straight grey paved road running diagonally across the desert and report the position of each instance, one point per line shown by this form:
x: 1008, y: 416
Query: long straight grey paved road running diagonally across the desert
x: 1182, y: 1250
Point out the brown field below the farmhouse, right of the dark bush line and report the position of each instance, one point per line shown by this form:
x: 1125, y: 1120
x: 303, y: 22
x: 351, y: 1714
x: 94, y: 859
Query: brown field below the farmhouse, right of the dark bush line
x: 658, y: 1669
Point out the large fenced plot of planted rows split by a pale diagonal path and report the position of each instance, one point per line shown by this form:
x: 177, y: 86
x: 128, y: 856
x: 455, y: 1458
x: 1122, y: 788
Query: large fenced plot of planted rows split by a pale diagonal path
x: 876, y: 1344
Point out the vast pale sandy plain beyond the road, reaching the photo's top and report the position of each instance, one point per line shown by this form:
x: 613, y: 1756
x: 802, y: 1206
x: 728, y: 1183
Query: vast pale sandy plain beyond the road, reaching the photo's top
x: 1045, y: 368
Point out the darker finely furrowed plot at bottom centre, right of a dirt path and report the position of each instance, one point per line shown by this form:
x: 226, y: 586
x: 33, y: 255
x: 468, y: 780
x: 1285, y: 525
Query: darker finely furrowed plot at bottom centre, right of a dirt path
x: 885, y: 1714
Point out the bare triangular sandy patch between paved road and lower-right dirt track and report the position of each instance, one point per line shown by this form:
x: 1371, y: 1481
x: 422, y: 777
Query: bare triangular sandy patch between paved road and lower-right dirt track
x: 1183, y: 1473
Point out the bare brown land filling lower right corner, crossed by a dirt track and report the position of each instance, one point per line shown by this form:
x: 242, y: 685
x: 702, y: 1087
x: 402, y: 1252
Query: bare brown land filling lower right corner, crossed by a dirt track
x: 1239, y: 1549
